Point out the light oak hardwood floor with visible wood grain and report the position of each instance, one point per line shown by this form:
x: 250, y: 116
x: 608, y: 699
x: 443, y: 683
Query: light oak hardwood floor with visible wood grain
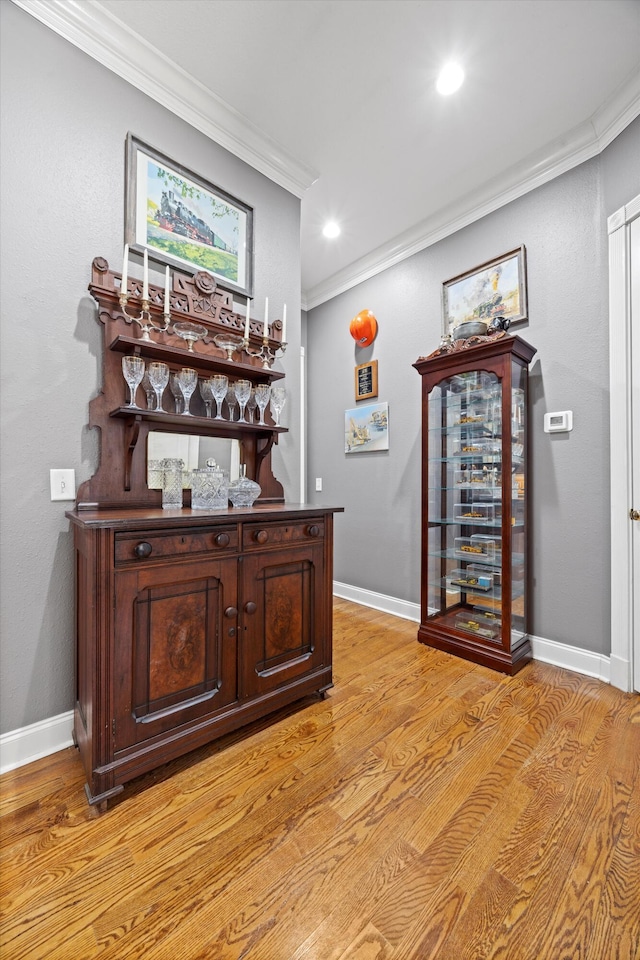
x: 427, y: 808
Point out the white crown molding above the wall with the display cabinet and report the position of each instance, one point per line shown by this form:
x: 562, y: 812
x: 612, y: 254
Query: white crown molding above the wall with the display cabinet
x: 584, y: 142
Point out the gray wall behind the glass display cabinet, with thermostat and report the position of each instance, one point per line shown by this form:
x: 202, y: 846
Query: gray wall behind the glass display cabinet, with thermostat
x: 563, y: 226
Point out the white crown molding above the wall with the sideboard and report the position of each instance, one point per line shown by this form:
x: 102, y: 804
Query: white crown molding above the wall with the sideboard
x: 94, y: 31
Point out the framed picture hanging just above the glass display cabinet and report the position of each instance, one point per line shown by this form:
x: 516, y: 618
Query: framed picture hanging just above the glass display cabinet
x: 497, y: 288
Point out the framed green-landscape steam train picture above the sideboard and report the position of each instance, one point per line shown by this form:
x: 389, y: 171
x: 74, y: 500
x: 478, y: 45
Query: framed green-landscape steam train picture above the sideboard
x: 185, y: 221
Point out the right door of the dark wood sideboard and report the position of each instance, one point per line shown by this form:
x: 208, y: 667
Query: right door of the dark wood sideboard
x: 284, y: 622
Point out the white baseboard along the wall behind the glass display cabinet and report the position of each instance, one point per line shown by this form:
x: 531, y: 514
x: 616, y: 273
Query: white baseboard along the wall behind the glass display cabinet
x: 548, y: 651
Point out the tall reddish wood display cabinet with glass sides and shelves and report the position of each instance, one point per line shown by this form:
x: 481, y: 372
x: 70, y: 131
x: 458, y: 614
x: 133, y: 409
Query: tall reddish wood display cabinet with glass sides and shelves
x: 474, y: 595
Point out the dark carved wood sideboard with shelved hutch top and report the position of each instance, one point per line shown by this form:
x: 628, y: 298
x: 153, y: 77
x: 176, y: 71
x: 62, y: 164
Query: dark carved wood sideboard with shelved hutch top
x: 189, y: 623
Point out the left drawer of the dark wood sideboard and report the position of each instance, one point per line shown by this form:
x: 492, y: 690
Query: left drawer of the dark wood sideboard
x: 146, y: 546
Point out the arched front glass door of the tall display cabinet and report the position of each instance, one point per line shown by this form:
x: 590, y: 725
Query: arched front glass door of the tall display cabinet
x: 467, y: 468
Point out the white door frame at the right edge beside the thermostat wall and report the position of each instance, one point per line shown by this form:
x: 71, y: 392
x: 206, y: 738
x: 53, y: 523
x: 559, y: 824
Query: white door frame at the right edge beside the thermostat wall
x: 621, y: 425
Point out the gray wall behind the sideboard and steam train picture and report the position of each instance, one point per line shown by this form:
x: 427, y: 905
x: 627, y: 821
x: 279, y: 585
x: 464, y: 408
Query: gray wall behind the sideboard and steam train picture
x: 64, y: 124
